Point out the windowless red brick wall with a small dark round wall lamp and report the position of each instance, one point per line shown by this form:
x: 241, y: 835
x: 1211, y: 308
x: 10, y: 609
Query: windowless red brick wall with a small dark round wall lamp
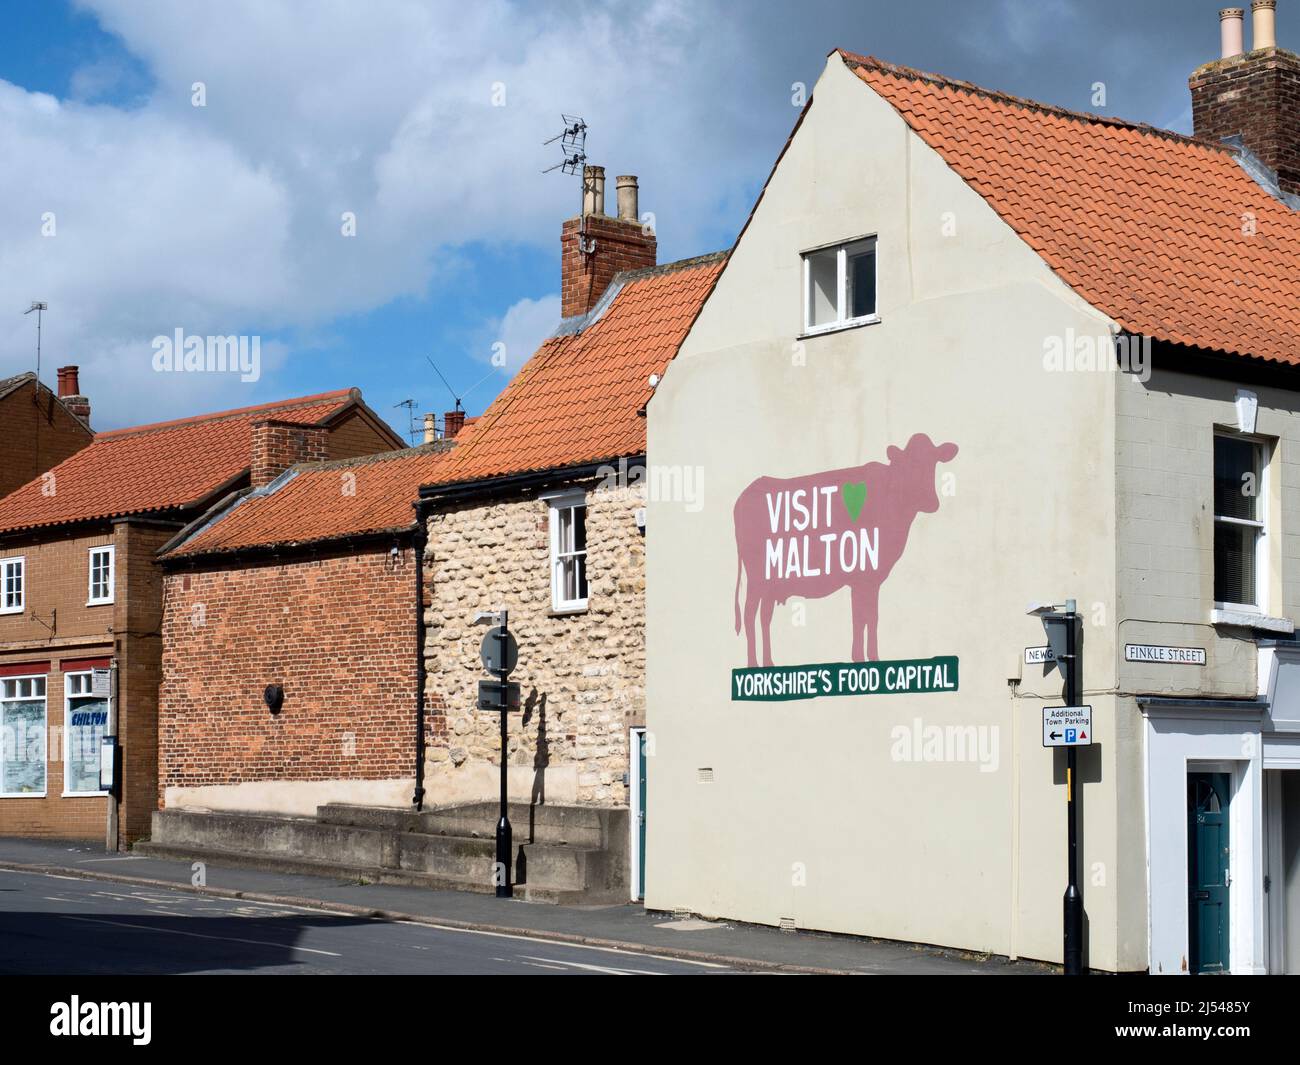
x: 336, y: 633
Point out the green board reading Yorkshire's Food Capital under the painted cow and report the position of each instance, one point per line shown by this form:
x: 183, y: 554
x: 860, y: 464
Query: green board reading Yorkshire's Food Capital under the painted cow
x: 904, y: 677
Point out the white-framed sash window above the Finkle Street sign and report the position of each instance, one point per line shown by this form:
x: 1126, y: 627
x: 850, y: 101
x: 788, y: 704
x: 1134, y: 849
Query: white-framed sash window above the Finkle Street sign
x: 1241, y: 522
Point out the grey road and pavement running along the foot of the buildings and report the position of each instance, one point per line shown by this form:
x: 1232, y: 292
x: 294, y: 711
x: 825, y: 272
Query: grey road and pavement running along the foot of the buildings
x: 55, y: 891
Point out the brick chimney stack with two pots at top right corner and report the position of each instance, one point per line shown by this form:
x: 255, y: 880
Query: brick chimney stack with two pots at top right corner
x: 1254, y: 96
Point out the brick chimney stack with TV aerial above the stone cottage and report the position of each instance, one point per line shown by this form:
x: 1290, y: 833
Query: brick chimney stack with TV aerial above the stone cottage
x: 595, y: 248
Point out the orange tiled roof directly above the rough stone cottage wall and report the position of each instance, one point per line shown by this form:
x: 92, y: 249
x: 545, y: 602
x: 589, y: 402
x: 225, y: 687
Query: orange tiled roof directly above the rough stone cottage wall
x: 578, y: 400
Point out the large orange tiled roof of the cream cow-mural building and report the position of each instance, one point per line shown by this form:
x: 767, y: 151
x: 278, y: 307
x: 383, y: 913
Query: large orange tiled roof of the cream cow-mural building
x: 1146, y: 226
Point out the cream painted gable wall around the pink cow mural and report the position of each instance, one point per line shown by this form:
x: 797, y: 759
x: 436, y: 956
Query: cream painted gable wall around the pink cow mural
x: 814, y: 811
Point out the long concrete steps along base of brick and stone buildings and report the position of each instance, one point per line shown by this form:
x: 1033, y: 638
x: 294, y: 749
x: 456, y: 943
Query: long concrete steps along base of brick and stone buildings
x: 382, y: 845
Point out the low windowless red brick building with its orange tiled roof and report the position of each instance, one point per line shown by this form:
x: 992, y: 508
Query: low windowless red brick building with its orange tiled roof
x: 306, y: 583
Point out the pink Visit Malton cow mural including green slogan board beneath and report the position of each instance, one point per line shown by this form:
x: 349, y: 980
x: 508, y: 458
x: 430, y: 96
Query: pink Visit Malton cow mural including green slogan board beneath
x: 811, y: 536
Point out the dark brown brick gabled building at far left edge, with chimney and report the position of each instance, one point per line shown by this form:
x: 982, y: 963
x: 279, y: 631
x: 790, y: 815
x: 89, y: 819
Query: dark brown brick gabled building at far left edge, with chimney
x: 40, y: 430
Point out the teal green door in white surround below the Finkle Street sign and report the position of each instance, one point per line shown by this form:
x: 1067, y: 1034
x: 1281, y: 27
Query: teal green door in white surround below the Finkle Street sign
x: 1208, y: 872
